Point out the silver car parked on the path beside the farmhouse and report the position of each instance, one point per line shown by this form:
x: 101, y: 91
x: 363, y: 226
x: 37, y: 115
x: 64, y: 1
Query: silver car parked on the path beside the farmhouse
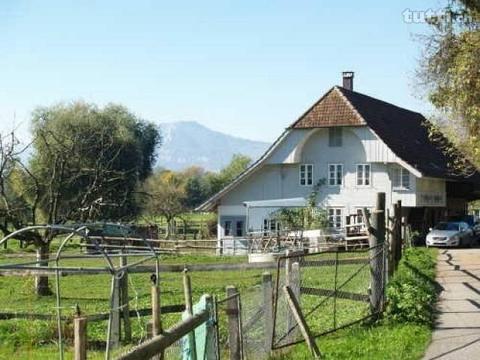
x: 452, y: 233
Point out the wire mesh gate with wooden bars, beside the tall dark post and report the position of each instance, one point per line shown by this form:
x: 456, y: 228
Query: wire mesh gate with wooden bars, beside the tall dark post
x: 333, y: 290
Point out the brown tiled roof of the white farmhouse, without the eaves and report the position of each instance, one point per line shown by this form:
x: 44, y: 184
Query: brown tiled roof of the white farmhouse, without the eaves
x: 404, y: 131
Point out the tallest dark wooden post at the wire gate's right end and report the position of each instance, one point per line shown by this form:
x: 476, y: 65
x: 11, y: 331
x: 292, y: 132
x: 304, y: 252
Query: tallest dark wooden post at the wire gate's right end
x: 376, y: 239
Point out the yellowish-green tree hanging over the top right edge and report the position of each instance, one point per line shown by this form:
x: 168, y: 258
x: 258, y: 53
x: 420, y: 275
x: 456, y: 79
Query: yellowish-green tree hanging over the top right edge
x: 450, y: 71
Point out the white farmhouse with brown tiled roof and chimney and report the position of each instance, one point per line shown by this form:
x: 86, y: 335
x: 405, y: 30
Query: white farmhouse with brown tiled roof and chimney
x: 356, y: 146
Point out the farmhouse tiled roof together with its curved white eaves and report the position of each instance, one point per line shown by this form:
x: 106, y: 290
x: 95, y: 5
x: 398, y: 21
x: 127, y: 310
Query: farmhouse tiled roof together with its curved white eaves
x: 400, y: 136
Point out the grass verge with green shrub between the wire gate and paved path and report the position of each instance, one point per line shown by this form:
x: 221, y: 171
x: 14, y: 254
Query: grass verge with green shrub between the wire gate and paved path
x: 399, y: 335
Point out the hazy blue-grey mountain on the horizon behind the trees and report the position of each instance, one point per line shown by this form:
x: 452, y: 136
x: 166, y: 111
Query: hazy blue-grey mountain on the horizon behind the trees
x: 189, y: 143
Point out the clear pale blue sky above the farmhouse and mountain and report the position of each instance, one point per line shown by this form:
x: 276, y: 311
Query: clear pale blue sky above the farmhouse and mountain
x: 247, y: 68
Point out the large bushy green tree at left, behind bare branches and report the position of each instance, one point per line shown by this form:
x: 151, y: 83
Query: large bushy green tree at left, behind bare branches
x: 86, y: 165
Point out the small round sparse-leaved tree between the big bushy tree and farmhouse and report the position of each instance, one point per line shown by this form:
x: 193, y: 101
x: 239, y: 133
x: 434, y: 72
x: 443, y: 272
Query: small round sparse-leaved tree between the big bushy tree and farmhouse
x: 165, y: 196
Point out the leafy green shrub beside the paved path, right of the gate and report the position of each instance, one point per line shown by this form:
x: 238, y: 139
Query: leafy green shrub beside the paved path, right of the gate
x: 412, y: 291
